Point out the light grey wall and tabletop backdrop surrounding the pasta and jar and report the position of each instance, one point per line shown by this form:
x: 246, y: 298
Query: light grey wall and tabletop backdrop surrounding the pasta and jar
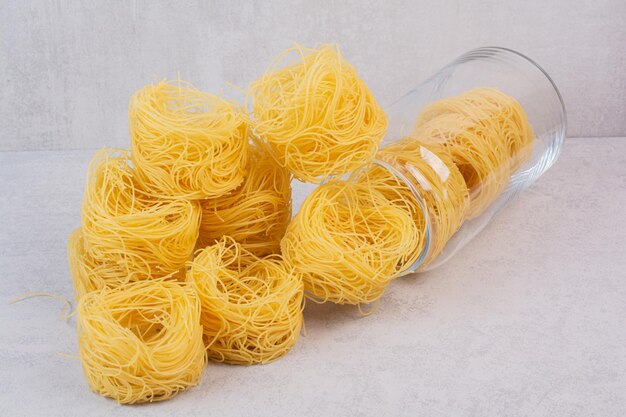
x: 527, y: 320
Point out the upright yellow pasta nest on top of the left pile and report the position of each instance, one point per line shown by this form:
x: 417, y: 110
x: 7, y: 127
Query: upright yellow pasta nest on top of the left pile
x: 185, y: 142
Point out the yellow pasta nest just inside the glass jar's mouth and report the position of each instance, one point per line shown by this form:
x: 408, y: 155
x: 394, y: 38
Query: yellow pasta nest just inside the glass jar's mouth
x: 437, y: 182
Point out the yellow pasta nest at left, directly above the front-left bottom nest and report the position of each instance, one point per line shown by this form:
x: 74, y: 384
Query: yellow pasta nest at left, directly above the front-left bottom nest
x: 126, y: 234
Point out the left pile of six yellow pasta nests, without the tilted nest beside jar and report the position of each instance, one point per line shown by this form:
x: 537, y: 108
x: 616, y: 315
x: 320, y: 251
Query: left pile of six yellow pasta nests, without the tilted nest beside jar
x: 177, y: 259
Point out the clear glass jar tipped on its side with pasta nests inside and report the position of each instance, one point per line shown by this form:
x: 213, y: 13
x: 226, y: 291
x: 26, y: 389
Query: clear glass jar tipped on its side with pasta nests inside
x: 508, y: 72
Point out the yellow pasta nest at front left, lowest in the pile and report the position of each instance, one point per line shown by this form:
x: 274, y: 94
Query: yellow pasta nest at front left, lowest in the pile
x: 142, y: 342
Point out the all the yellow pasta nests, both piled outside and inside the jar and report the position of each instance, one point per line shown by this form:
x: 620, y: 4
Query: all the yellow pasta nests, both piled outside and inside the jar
x: 187, y: 251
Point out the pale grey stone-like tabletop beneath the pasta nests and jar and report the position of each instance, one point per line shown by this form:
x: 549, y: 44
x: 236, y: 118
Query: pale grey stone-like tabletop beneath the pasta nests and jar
x: 528, y: 320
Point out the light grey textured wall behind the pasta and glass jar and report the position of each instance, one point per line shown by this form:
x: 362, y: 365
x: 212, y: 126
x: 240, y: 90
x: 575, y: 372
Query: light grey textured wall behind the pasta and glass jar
x: 68, y: 67
